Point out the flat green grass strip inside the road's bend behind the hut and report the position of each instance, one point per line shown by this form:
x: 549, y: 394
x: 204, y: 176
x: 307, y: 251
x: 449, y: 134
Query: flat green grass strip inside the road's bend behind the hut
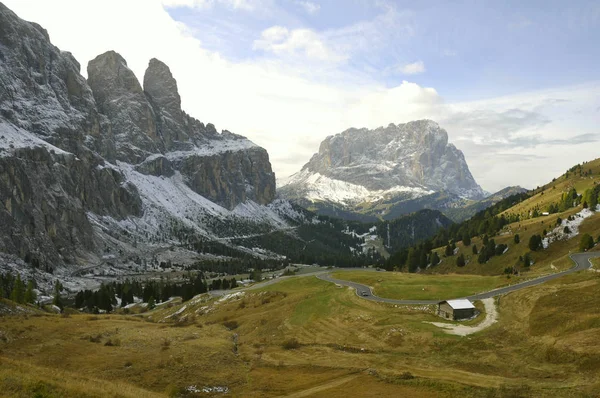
x: 397, y: 285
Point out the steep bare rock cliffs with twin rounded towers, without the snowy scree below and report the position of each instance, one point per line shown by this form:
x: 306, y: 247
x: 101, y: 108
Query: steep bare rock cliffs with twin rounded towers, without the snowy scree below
x: 68, y: 147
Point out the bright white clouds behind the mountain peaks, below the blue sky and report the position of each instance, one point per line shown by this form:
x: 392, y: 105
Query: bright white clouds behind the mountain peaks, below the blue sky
x: 521, y: 139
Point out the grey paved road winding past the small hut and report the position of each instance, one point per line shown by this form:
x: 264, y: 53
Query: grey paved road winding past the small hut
x: 582, y: 262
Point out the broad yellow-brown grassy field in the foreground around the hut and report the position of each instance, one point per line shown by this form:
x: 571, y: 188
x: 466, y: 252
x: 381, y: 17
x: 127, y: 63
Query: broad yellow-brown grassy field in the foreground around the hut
x: 306, y: 337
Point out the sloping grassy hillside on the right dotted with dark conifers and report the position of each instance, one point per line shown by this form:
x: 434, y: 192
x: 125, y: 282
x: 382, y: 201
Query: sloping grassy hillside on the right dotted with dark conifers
x: 527, y: 220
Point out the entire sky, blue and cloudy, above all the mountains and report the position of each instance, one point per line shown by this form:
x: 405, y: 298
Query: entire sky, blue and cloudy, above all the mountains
x: 516, y: 83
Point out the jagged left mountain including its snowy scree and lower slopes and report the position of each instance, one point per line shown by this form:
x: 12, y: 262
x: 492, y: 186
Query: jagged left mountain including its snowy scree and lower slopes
x: 109, y: 174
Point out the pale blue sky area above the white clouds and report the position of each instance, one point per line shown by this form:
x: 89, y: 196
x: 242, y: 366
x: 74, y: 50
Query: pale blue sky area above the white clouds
x: 469, y: 49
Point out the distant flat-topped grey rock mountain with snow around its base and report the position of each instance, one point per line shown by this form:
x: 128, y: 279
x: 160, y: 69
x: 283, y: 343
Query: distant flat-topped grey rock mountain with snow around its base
x: 381, y: 172
